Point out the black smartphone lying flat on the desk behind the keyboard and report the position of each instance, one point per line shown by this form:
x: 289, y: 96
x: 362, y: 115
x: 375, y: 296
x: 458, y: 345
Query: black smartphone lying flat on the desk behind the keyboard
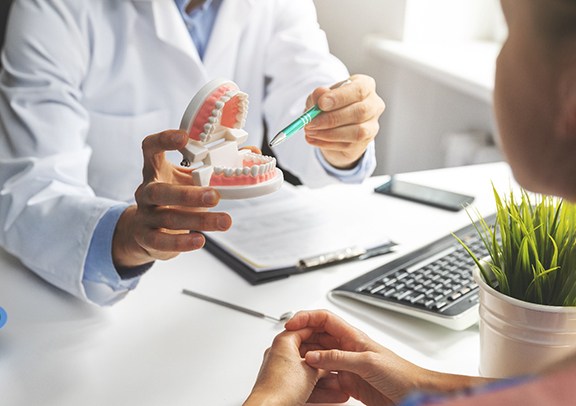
x: 425, y: 194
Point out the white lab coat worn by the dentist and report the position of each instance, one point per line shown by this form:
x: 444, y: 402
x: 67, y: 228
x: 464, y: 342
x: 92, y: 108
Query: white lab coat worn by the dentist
x: 86, y: 81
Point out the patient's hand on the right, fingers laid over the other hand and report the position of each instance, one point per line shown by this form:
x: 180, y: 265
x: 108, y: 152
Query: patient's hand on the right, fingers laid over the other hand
x: 365, y: 369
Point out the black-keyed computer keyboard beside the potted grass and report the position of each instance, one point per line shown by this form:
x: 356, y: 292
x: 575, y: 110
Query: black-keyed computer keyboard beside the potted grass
x: 434, y: 282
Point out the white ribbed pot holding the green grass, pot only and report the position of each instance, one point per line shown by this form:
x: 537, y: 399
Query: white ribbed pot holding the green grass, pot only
x: 518, y: 337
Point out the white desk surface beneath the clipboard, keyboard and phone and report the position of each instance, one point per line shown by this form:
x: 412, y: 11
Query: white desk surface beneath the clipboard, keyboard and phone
x: 159, y: 347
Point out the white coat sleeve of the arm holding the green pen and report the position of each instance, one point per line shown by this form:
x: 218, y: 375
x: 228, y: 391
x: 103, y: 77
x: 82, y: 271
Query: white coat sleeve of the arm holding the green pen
x: 298, y: 60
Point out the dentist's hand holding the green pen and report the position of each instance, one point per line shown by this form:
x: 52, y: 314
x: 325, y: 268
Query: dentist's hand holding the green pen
x: 349, y: 122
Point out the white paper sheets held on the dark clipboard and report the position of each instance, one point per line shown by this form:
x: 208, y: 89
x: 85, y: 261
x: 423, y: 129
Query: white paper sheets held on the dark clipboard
x: 279, y: 230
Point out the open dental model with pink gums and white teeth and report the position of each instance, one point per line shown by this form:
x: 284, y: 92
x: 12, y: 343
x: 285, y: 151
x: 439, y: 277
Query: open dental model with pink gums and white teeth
x: 214, y: 120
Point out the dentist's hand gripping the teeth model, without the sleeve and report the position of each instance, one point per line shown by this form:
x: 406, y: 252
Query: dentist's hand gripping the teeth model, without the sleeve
x: 169, y: 213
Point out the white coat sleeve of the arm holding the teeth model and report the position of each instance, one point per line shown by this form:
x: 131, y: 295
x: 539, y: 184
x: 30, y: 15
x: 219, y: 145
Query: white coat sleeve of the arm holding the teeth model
x: 47, y: 210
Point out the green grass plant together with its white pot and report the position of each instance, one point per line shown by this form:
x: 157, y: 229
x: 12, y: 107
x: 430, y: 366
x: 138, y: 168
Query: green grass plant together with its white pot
x: 527, y: 284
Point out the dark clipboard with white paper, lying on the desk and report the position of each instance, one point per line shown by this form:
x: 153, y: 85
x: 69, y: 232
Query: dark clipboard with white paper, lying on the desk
x: 293, y: 231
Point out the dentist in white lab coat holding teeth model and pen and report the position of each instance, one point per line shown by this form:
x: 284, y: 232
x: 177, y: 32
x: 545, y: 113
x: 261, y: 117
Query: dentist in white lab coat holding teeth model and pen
x: 88, y: 197
